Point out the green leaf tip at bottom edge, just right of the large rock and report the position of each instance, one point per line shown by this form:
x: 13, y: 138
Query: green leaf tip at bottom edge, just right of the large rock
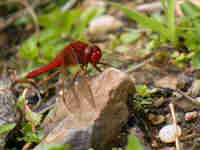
x: 133, y: 144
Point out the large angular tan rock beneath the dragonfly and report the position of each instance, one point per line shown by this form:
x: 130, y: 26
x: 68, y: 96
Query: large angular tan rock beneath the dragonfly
x: 84, y: 126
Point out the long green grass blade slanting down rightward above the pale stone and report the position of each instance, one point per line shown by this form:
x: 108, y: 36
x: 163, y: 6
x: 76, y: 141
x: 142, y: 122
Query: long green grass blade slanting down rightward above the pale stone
x: 143, y: 20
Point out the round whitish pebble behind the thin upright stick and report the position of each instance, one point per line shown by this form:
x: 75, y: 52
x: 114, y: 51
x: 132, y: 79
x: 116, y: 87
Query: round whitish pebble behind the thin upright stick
x: 167, y: 133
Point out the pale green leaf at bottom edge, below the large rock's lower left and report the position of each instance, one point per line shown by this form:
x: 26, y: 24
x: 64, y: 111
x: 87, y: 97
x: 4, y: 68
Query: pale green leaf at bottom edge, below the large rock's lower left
x: 51, y: 147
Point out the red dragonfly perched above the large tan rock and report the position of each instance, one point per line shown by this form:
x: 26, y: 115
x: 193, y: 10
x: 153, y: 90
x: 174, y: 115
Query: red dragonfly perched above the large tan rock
x: 75, y: 53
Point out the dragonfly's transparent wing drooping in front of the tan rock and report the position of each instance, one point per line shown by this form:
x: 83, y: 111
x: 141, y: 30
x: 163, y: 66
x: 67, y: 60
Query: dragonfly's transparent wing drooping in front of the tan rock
x: 82, y: 94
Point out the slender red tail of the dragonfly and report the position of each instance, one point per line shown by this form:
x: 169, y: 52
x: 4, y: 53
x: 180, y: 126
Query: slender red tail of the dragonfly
x: 44, y: 69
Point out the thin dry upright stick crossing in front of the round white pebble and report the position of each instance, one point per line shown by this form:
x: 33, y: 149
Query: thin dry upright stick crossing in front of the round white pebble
x: 171, y: 106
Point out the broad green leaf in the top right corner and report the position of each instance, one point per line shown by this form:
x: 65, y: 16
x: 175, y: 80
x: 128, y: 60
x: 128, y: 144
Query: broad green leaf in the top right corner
x: 190, y: 10
